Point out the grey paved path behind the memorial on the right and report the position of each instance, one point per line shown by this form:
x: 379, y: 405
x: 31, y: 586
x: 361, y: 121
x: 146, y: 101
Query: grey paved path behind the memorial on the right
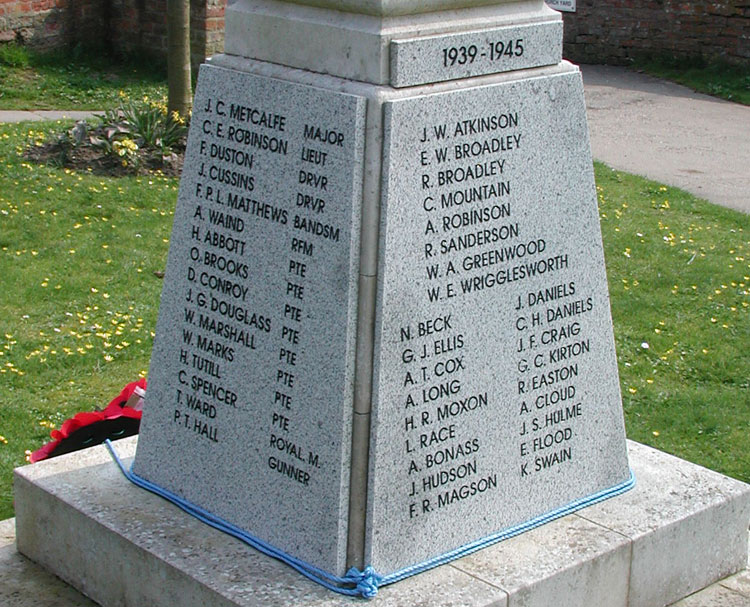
x: 669, y: 133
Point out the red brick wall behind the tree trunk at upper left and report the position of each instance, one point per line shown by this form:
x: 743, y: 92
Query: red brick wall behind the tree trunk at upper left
x: 130, y: 26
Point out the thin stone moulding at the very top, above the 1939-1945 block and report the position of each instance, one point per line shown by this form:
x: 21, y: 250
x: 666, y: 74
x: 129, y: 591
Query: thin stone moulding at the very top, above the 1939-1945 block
x: 392, y: 8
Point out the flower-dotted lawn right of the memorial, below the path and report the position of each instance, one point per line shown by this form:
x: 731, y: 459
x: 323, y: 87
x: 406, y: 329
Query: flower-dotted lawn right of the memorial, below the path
x: 679, y: 280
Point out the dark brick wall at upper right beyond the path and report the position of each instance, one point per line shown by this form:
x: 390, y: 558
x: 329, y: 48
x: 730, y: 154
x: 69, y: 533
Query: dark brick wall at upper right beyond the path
x: 618, y: 30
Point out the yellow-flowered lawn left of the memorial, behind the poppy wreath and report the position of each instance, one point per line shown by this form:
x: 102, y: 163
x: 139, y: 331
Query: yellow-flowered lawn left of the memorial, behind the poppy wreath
x: 79, y: 296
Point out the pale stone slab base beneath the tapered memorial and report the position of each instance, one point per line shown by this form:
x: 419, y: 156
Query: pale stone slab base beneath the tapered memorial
x: 680, y: 529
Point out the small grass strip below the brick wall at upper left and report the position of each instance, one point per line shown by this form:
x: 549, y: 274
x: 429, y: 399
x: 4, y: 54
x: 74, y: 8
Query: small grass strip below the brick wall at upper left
x: 59, y: 81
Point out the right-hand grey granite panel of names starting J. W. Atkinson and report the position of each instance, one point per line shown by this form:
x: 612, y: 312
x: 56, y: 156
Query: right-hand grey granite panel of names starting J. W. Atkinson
x: 496, y: 388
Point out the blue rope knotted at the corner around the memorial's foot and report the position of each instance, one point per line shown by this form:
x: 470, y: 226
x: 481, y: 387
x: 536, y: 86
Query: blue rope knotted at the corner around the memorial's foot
x: 362, y: 583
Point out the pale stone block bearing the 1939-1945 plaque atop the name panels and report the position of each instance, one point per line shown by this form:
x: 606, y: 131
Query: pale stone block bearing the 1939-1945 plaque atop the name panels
x: 399, y: 43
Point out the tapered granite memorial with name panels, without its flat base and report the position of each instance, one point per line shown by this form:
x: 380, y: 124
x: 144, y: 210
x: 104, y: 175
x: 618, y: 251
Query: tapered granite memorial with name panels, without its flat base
x: 384, y: 339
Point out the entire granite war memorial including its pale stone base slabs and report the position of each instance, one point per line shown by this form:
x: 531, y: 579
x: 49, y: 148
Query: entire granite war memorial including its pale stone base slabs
x: 384, y: 353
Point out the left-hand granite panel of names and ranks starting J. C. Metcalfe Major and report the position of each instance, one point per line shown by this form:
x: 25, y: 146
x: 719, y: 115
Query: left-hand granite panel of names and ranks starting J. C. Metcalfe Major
x: 250, y: 388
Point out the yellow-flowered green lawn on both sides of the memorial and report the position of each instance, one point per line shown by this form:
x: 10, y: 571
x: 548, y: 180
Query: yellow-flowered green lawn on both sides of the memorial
x: 79, y: 301
